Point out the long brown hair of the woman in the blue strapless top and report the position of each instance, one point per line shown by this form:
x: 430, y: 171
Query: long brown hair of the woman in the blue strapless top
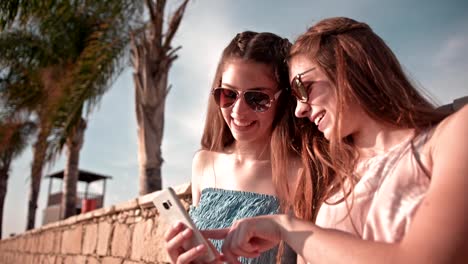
x: 272, y: 50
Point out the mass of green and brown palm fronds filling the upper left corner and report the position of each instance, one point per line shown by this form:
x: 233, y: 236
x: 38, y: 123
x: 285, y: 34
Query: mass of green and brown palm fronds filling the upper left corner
x: 59, y: 57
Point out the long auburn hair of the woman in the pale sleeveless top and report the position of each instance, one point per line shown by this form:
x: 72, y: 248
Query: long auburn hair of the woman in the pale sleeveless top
x: 364, y: 70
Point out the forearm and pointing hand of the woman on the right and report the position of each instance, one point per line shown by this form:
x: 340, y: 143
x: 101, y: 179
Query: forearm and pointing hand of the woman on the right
x: 316, y: 245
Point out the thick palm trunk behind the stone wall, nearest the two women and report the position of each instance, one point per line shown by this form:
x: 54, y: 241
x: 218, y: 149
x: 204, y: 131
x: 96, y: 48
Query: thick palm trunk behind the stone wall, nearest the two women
x: 152, y: 57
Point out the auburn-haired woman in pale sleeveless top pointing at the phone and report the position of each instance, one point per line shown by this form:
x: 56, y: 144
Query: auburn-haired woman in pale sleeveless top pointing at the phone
x: 393, y: 170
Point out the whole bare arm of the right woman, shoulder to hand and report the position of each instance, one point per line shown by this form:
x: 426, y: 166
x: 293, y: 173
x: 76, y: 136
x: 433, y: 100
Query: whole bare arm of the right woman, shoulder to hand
x: 438, y: 233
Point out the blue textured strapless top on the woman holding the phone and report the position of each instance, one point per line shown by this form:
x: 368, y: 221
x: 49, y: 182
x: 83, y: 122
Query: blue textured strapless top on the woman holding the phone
x: 219, y: 208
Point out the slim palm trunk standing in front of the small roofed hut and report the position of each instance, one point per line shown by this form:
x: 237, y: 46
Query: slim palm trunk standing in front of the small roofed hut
x: 70, y: 178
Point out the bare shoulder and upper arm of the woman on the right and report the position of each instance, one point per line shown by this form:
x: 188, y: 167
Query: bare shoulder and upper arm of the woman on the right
x: 445, y: 198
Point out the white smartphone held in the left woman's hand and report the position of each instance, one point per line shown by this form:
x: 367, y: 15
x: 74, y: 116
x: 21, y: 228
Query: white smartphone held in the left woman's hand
x: 171, y: 210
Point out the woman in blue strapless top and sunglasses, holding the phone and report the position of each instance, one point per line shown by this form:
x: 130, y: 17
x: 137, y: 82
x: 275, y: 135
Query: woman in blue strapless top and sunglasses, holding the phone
x: 250, y: 113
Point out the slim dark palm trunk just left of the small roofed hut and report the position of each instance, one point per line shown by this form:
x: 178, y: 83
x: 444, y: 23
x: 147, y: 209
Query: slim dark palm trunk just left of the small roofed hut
x: 40, y: 148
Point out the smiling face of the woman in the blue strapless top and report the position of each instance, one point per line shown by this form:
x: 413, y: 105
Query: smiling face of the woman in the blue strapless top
x: 245, y: 124
